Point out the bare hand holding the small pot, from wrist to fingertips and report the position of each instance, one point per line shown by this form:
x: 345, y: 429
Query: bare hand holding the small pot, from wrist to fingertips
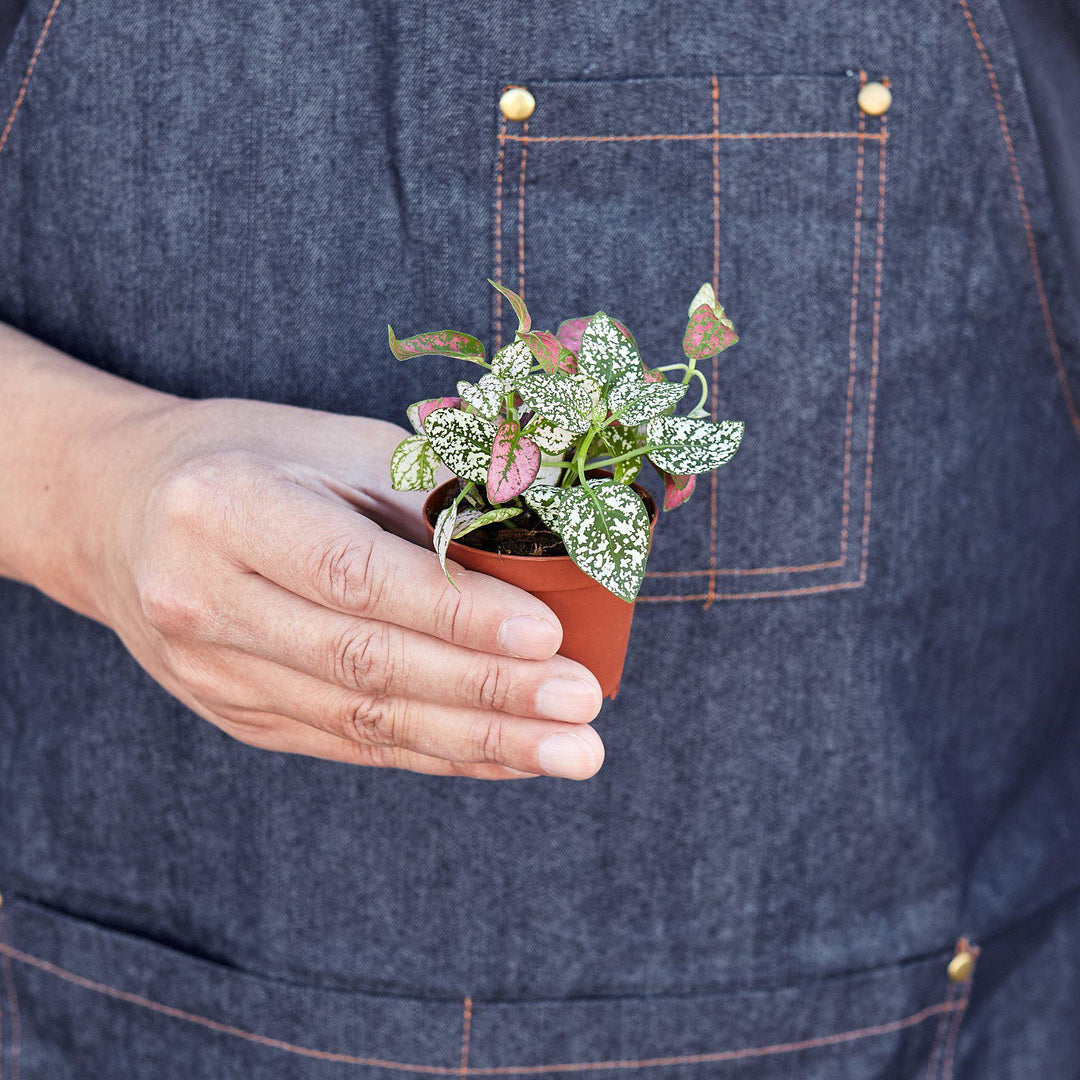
x: 254, y: 560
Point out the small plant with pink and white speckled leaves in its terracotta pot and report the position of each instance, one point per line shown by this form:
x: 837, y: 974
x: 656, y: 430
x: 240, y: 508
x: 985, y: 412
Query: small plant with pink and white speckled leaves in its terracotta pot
x: 545, y: 448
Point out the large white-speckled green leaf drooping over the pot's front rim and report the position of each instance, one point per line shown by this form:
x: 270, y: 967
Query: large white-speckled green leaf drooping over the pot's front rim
x: 605, y: 529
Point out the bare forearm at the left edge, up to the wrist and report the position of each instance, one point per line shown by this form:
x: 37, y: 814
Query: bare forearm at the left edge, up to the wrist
x: 58, y: 418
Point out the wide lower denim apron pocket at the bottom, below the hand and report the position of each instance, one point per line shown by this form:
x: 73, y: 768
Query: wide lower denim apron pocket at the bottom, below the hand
x: 84, y: 1001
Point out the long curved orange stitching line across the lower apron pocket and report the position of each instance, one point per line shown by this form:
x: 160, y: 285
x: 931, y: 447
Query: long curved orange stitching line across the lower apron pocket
x: 723, y: 1056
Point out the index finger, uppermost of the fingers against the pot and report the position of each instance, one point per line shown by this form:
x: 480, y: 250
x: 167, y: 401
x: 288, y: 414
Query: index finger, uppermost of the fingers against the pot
x: 319, y: 549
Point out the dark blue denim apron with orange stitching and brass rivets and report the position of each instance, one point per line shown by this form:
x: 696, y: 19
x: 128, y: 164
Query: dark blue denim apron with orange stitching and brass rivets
x: 849, y: 731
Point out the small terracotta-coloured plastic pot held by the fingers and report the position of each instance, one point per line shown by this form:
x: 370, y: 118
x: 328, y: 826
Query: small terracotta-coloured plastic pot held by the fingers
x: 596, y: 623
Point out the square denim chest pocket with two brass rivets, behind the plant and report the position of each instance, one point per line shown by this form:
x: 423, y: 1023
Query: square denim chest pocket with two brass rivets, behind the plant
x: 626, y: 196
